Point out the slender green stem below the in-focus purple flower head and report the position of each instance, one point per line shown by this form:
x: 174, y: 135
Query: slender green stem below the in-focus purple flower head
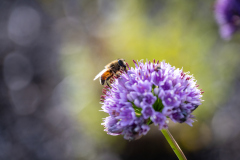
x: 173, y: 144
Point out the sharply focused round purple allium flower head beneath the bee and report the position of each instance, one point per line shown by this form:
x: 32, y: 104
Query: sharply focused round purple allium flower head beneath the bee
x: 149, y: 93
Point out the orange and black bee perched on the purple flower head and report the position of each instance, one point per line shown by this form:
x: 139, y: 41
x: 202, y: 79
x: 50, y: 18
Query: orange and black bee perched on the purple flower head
x: 110, y: 70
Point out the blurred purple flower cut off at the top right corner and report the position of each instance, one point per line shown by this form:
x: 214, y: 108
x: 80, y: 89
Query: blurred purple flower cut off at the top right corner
x: 227, y: 13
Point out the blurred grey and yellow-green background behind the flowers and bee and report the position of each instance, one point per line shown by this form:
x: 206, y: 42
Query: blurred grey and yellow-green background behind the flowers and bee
x: 50, y: 51
